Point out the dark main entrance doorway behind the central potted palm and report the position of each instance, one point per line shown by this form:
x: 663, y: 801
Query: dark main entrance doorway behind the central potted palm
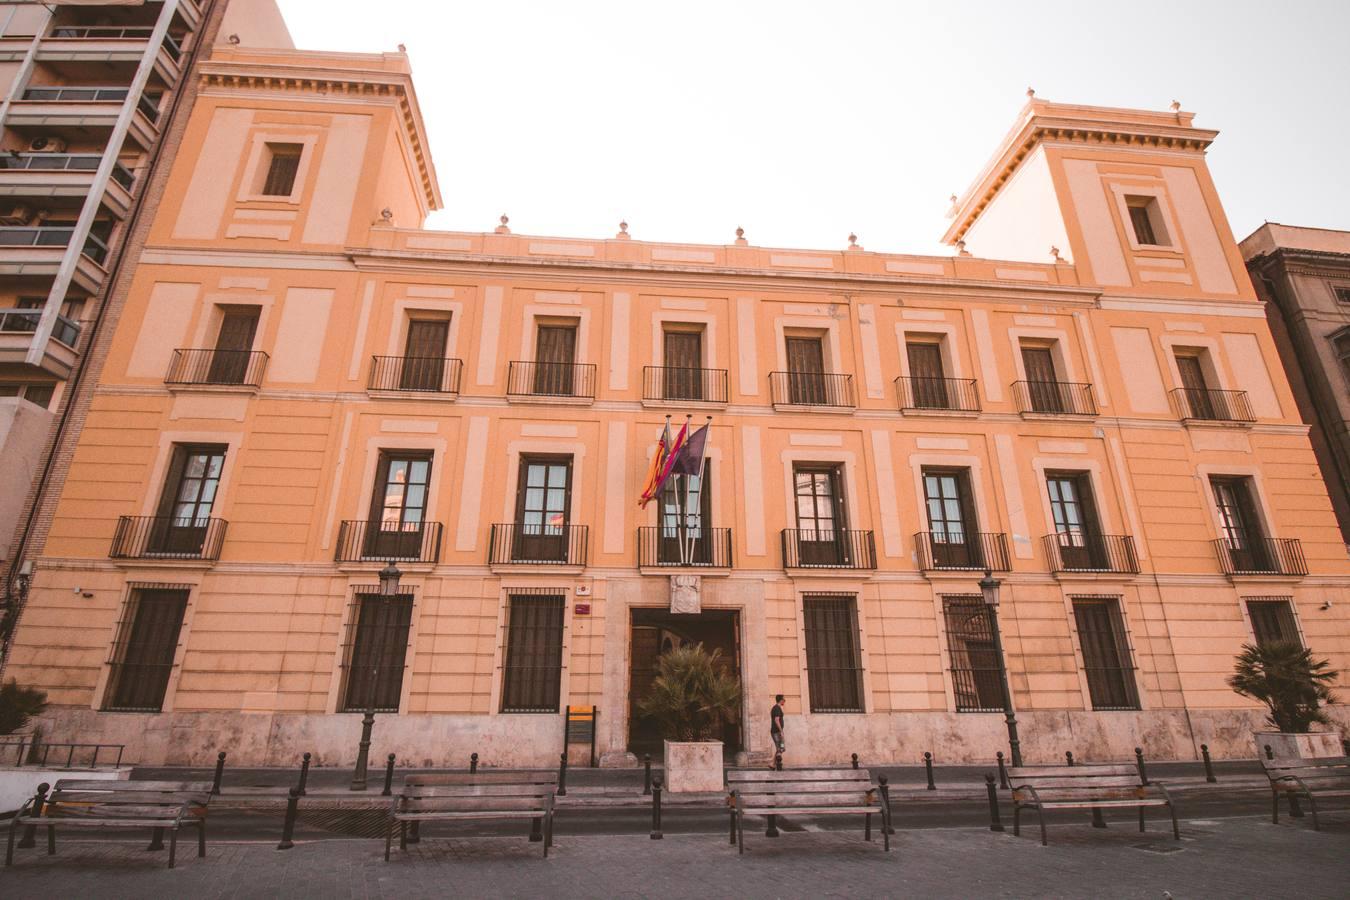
x: 658, y: 631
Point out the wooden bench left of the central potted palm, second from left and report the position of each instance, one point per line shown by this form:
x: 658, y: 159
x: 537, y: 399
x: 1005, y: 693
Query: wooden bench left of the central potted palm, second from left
x: 484, y: 795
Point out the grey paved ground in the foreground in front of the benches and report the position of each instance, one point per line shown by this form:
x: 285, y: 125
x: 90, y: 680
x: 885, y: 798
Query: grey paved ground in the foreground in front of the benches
x: 1241, y: 857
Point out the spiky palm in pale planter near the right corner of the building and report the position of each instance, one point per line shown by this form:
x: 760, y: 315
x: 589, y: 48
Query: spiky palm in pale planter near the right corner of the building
x: 1285, y: 677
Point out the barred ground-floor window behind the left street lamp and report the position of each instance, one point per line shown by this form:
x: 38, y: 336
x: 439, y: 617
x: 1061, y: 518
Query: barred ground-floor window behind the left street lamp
x: 376, y: 651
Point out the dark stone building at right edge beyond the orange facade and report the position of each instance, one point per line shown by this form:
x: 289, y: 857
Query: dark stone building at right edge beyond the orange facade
x: 1305, y: 277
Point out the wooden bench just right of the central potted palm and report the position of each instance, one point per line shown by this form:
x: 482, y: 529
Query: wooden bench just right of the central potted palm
x: 805, y: 793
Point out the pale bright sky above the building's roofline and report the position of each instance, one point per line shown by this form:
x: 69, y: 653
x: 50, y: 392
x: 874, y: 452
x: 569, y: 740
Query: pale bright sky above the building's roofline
x: 805, y: 122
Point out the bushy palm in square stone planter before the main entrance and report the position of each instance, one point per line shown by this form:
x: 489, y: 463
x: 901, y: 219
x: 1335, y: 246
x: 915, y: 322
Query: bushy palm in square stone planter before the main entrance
x: 691, y: 701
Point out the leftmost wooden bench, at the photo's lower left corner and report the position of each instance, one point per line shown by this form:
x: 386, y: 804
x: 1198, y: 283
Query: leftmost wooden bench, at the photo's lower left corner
x: 119, y: 805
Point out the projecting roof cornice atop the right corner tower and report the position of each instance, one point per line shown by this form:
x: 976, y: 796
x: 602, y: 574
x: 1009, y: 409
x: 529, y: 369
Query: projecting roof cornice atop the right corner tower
x: 1042, y: 122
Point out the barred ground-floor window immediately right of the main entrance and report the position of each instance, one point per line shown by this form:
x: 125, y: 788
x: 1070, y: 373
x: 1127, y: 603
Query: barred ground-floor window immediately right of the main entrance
x: 834, y: 662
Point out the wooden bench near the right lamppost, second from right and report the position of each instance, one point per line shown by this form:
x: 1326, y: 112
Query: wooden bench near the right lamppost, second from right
x: 1085, y: 787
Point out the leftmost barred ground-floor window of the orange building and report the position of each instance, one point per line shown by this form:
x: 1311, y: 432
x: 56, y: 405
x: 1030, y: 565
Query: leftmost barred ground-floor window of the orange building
x: 145, y: 648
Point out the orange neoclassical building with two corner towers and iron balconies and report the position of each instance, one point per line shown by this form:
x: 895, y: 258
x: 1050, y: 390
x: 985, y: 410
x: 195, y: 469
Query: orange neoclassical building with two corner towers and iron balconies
x: 1083, y: 400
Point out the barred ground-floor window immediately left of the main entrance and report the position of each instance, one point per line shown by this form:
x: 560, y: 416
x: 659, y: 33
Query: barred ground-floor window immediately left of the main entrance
x: 533, y: 671
